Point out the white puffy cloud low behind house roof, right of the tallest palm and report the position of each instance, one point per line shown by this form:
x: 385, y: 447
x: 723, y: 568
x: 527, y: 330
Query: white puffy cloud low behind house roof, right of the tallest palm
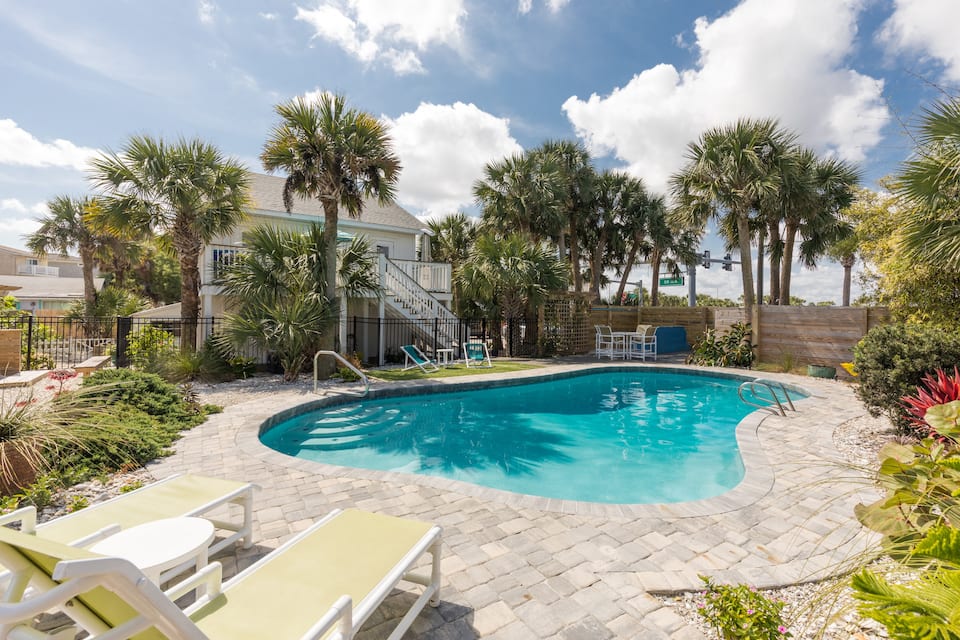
x: 443, y: 149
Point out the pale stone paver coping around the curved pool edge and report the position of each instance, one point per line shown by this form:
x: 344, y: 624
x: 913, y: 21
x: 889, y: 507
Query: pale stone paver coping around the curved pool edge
x: 758, y: 479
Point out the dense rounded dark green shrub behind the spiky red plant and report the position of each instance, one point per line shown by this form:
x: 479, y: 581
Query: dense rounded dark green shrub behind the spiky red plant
x: 891, y: 361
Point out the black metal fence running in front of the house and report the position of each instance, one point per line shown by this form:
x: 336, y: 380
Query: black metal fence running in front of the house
x: 52, y: 342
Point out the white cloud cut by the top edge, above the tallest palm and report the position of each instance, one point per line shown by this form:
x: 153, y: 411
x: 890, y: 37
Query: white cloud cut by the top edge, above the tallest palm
x: 389, y: 31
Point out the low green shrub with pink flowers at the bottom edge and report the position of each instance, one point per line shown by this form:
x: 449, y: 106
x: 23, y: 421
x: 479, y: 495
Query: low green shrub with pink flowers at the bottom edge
x: 741, y: 612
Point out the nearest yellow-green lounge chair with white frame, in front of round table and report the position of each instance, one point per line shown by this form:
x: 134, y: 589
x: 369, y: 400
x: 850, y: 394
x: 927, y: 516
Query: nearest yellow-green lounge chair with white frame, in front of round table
x: 324, y: 583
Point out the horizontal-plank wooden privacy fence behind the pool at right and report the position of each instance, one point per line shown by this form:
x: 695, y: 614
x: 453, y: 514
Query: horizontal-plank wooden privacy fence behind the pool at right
x: 806, y: 335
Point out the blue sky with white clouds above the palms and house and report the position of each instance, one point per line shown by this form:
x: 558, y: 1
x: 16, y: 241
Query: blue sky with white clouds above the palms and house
x: 464, y: 82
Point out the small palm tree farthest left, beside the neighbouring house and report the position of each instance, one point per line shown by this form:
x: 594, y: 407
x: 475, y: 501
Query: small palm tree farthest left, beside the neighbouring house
x: 67, y: 227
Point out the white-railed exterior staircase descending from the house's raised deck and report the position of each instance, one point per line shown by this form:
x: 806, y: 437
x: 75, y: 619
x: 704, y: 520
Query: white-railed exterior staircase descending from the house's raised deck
x: 404, y: 297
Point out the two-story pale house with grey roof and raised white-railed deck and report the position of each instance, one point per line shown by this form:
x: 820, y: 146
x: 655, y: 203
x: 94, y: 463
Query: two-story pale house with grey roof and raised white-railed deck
x: 418, y: 291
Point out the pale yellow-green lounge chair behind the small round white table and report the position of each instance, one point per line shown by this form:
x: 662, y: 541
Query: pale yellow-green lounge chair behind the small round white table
x: 178, y: 495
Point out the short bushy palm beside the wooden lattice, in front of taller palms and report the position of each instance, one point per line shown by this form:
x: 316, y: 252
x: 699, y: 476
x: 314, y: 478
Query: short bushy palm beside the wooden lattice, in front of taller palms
x: 508, y: 274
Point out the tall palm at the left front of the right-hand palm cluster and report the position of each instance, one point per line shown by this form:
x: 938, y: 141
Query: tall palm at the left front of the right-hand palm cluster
x: 728, y: 171
